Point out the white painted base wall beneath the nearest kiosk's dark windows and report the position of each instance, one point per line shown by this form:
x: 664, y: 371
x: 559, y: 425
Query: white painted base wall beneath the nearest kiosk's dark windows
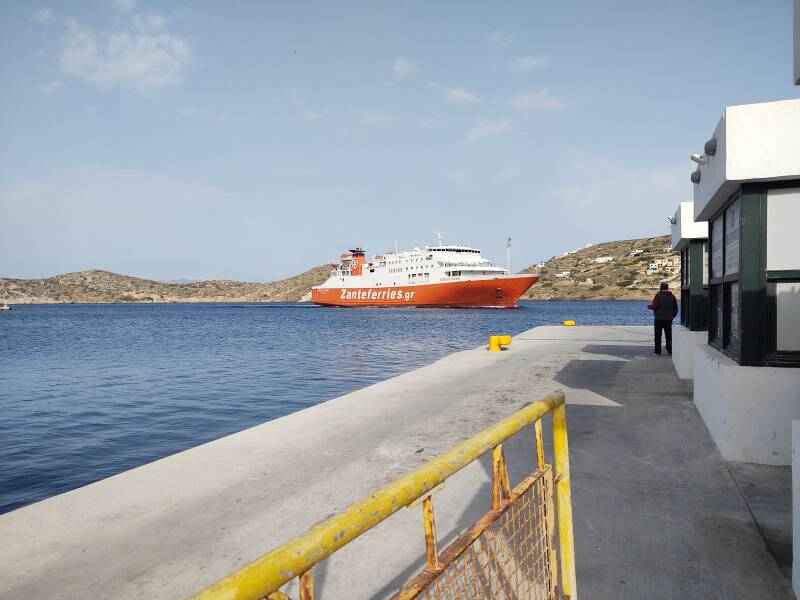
x: 748, y: 410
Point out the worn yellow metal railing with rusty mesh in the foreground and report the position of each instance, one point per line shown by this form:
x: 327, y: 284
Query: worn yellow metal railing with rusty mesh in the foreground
x: 509, y: 552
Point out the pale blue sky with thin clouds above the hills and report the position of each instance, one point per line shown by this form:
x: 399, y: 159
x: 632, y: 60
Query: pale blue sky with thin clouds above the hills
x: 254, y: 140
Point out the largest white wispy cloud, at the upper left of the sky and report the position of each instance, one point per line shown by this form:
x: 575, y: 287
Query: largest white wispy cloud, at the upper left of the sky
x: 143, y: 62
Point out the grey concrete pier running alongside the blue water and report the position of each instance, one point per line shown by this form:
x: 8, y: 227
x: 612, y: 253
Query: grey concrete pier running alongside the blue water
x: 657, y: 512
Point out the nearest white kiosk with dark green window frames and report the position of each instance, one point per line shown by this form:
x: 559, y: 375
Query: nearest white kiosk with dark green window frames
x: 747, y: 377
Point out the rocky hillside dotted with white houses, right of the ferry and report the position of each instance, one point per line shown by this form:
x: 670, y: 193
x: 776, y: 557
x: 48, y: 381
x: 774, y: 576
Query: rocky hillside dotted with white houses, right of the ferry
x: 622, y: 270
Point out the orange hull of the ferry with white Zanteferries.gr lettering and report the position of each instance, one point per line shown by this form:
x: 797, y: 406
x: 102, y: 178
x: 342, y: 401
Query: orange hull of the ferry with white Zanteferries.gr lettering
x: 501, y: 293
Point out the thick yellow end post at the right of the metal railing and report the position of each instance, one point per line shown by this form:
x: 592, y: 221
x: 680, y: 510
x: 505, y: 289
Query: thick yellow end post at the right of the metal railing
x: 564, y: 500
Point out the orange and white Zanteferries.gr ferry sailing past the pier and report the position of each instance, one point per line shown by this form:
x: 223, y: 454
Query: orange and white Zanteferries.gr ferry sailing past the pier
x: 442, y: 276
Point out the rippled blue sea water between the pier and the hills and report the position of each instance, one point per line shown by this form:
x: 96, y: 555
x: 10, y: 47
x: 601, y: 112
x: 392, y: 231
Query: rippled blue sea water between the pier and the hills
x: 87, y: 391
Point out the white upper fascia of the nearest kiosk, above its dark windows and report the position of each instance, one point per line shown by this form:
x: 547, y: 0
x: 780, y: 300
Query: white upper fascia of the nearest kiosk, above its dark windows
x: 755, y: 142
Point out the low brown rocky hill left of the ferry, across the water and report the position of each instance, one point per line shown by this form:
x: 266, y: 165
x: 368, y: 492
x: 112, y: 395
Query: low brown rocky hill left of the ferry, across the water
x: 102, y: 286
